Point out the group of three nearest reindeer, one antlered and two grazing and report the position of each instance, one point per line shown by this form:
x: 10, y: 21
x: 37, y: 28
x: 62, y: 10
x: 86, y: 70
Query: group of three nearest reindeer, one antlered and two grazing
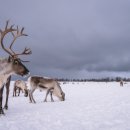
x: 13, y: 65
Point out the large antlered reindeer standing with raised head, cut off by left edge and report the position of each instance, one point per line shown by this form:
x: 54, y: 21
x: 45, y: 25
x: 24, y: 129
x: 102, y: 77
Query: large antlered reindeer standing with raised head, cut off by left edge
x: 13, y: 64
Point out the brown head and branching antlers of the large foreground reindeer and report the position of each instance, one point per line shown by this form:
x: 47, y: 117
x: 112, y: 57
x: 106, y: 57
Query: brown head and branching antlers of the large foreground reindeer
x: 14, y: 60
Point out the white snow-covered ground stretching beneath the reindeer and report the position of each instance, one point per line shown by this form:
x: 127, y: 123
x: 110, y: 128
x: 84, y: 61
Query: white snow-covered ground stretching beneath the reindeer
x: 88, y: 106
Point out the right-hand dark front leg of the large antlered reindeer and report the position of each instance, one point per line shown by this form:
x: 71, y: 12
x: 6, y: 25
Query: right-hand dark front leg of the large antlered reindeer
x: 7, y: 92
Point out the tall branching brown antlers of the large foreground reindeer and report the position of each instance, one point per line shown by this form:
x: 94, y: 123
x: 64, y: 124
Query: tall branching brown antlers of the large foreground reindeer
x: 15, y: 33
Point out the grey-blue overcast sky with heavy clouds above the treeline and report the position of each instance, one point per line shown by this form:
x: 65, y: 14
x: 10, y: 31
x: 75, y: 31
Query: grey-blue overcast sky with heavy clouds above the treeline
x: 72, y: 38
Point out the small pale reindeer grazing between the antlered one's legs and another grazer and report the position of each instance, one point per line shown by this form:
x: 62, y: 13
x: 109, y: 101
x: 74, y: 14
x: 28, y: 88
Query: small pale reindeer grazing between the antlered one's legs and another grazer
x: 20, y: 85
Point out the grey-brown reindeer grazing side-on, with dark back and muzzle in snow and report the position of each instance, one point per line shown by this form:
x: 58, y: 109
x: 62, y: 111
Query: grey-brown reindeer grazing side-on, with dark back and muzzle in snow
x: 48, y: 84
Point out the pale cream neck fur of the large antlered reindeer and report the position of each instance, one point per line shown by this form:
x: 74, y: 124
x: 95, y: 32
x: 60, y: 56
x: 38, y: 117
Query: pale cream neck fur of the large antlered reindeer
x: 5, y: 71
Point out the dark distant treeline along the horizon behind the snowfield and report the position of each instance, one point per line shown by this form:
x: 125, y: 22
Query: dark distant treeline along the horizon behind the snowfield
x: 117, y: 79
